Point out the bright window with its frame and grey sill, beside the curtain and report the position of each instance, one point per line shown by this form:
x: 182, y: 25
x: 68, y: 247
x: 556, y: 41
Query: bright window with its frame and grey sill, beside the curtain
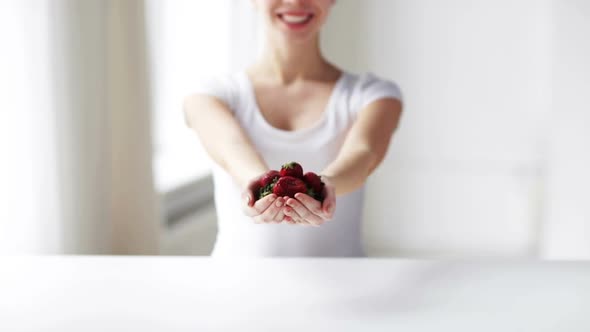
x: 189, y: 40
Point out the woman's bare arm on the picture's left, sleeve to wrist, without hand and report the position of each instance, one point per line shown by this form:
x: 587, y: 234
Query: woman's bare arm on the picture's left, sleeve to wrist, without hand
x: 223, y: 138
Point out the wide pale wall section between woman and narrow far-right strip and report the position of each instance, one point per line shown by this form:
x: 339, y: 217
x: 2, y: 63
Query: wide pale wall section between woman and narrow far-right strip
x: 464, y: 173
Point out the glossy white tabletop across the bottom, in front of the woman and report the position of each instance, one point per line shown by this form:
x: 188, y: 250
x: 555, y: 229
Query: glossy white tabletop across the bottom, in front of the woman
x: 145, y: 294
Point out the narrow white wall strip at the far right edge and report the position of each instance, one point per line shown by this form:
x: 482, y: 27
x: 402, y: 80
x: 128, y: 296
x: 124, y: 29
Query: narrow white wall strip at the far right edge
x: 566, y: 232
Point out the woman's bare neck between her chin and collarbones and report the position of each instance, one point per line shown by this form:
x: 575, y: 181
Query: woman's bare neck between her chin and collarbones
x: 287, y: 62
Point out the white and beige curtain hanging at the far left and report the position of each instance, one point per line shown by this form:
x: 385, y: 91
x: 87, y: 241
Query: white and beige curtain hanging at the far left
x: 82, y: 142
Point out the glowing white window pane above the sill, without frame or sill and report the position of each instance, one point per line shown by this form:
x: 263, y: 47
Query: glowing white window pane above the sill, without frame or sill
x: 188, y: 40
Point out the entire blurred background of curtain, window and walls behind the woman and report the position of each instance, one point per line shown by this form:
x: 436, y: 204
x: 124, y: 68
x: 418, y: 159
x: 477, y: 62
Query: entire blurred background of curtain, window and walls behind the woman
x: 491, y: 158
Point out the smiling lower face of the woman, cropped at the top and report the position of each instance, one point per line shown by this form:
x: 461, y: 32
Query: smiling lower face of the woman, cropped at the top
x: 297, y: 20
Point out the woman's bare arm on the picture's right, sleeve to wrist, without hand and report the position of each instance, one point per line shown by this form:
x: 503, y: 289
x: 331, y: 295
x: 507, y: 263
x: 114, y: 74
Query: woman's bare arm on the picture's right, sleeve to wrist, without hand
x: 365, y: 145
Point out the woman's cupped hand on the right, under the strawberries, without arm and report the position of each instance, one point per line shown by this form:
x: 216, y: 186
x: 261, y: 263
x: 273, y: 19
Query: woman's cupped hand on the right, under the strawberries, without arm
x: 308, y: 211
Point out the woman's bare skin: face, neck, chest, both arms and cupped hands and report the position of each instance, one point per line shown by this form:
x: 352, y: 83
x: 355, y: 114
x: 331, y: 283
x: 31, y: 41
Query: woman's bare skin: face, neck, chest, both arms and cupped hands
x: 292, y: 82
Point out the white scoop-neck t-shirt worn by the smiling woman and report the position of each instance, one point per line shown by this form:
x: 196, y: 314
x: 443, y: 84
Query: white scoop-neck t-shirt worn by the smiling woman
x: 314, y: 148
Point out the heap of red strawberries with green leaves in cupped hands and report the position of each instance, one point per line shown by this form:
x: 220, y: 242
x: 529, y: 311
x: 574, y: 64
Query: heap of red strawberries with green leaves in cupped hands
x: 289, y: 181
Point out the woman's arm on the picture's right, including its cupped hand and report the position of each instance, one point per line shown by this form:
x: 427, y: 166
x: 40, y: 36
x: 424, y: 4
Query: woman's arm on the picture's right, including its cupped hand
x: 363, y: 150
